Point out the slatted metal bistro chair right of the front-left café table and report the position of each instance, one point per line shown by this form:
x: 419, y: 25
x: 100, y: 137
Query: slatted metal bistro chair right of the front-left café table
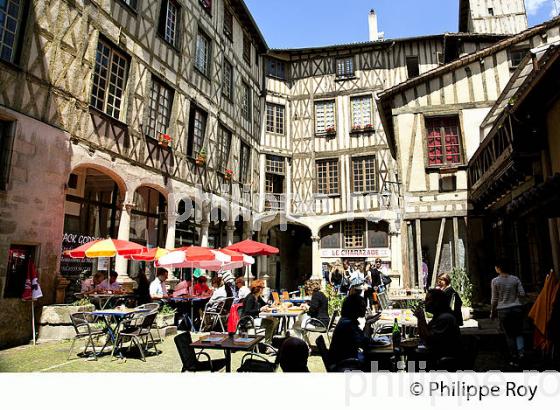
x: 138, y: 328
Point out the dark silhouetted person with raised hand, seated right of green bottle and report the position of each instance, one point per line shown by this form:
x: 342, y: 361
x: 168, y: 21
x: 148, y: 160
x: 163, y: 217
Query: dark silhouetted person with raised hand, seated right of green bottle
x: 441, y: 336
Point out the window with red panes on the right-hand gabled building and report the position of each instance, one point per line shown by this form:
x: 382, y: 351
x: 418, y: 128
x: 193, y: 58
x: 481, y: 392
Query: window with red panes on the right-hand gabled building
x: 444, y: 141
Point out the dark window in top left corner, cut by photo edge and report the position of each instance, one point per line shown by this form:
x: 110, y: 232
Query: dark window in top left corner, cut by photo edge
x: 11, y: 15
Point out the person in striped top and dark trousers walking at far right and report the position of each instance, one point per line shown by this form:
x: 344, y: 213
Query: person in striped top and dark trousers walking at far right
x: 506, y: 290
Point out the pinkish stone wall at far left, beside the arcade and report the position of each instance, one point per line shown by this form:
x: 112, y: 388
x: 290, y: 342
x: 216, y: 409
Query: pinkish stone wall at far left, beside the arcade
x: 31, y: 213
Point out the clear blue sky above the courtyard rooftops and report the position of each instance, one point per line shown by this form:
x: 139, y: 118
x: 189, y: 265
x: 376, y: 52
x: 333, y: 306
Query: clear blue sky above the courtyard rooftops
x: 306, y: 23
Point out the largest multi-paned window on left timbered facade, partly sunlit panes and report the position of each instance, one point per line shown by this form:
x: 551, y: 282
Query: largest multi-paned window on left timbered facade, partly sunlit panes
x: 109, y: 79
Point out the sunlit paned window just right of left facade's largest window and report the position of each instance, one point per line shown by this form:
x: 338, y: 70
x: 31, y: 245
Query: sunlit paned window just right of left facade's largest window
x: 159, y: 109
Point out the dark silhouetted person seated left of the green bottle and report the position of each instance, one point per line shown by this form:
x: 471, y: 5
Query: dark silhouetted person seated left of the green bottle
x: 348, y: 337
